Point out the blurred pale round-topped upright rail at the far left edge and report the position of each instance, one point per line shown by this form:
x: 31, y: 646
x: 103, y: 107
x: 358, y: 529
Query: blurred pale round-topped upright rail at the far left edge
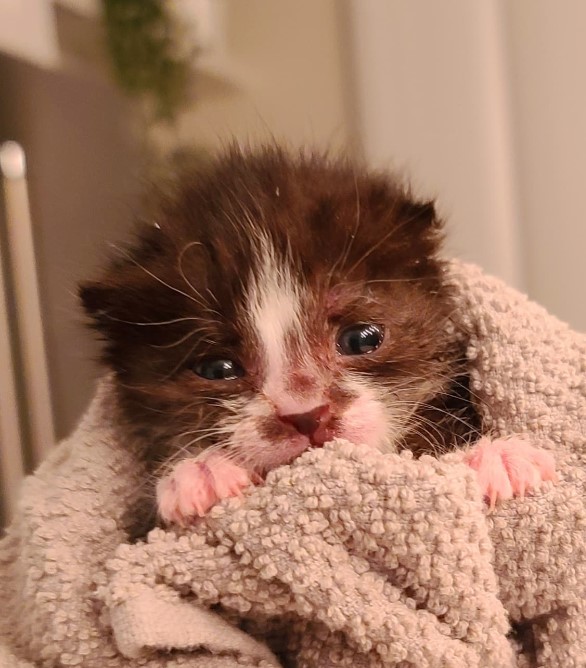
x: 26, y: 415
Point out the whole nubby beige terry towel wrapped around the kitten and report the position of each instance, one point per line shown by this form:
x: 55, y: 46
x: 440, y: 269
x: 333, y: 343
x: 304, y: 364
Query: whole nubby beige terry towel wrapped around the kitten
x: 344, y: 558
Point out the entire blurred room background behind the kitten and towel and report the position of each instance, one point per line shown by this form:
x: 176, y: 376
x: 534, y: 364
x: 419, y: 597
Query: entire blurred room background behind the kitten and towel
x: 481, y: 104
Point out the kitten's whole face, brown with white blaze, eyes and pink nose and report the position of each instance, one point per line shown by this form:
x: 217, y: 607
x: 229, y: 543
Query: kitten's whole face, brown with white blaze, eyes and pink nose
x: 273, y: 305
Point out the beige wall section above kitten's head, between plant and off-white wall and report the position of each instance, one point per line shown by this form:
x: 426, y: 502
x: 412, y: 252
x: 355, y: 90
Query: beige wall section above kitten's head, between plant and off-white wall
x: 275, y: 68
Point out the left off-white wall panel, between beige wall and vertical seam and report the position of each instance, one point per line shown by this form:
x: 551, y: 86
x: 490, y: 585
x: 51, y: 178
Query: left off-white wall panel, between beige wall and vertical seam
x: 432, y: 102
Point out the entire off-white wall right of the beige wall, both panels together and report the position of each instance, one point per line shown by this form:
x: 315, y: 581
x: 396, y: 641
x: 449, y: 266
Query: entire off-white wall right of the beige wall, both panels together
x: 484, y: 104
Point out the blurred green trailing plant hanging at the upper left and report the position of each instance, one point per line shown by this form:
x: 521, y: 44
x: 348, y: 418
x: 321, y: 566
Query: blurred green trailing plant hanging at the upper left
x: 141, y: 40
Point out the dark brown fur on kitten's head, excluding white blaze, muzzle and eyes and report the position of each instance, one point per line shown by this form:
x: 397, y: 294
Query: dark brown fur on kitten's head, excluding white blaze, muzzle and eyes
x: 365, y: 246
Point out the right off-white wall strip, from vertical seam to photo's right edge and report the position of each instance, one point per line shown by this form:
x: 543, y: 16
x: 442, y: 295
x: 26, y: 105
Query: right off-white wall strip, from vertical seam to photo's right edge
x: 547, y: 60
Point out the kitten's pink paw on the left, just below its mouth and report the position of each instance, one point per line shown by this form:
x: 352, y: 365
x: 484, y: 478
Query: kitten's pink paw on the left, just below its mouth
x: 194, y: 486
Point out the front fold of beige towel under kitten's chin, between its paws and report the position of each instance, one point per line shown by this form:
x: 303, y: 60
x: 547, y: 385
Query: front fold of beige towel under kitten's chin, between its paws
x: 389, y: 554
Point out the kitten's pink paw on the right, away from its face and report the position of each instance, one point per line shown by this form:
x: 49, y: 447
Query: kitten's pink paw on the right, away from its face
x: 509, y: 467
